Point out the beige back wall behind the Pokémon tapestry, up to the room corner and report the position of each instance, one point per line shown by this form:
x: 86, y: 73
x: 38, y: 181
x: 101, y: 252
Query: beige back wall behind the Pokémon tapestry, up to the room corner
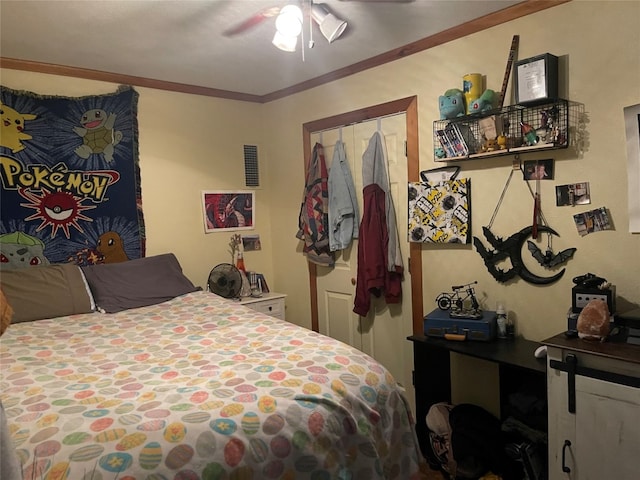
x: 188, y: 143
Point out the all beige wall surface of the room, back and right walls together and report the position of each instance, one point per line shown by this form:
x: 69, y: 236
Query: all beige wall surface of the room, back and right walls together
x: 189, y: 143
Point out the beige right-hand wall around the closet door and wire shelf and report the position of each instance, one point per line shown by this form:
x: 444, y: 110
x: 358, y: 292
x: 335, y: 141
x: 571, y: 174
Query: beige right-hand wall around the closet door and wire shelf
x: 600, y: 42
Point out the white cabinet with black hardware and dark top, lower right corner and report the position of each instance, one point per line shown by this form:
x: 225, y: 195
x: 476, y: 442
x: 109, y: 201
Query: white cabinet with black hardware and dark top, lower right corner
x: 594, y: 404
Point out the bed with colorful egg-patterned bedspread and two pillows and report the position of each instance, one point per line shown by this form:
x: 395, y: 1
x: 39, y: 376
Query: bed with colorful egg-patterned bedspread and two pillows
x: 187, y: 386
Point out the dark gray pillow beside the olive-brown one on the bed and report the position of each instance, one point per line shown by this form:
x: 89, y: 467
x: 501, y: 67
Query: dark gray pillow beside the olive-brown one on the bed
x: 137, y: 283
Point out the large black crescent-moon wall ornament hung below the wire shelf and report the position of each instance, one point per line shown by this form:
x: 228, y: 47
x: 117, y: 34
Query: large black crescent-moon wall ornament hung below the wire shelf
x: 511, y: 248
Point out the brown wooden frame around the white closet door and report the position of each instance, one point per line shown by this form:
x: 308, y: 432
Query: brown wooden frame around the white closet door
x: 408, y: 106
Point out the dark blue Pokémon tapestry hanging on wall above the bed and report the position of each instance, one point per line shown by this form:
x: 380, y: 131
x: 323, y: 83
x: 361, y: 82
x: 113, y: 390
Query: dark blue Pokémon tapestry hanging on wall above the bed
x: 70, y: 179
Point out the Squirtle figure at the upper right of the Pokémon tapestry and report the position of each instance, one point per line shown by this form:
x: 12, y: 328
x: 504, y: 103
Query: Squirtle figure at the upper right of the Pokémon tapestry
x: 98, y: 135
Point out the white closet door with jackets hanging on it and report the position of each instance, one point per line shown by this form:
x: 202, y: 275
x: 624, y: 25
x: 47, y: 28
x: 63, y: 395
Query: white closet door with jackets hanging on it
x: 382, y: 333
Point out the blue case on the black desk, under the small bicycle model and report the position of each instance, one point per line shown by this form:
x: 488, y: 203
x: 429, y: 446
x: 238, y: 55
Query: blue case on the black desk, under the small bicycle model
x: 438, y: 324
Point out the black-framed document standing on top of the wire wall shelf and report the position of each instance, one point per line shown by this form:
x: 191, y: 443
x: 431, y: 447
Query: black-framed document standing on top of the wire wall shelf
x: 536, y: 79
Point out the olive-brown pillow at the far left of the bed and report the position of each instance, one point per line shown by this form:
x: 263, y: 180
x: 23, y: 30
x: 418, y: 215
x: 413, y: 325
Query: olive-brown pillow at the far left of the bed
x: 45, y: 291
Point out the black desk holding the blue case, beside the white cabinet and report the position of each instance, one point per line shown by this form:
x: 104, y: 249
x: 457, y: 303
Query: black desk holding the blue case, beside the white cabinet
x: 432, y: 377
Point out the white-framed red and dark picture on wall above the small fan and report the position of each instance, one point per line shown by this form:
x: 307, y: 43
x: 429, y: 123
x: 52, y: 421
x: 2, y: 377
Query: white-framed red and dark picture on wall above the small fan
x: 228, y: 210
